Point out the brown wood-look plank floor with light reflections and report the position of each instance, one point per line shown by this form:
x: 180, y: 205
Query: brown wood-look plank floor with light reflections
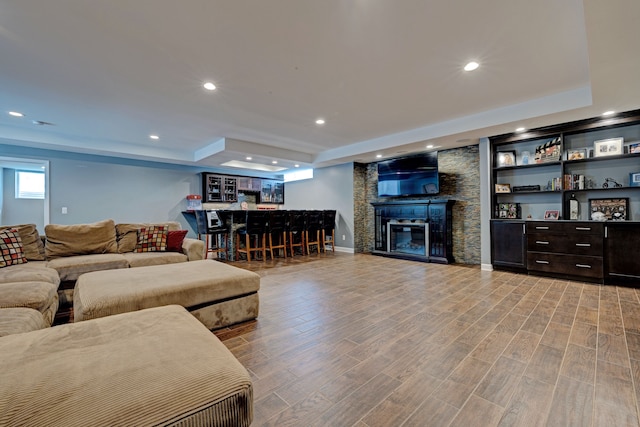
x: 360, y: 340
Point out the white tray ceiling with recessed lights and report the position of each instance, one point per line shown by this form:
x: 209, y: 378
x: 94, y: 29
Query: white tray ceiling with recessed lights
x: 385, y: 75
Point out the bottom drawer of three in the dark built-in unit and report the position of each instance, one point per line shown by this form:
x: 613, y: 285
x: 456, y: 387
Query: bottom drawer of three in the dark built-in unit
x: 571, y: 265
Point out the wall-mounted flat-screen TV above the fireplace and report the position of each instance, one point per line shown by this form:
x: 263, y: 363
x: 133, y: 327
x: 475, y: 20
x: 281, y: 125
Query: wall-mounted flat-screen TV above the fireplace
x: 409, y: 176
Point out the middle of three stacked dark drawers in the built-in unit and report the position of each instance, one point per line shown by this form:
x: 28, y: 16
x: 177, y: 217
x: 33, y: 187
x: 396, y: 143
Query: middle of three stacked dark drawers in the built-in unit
x: 574, y: 244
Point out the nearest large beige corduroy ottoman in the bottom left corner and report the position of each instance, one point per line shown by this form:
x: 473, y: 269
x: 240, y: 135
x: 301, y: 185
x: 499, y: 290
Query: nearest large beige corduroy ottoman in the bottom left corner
x: 158, y: 366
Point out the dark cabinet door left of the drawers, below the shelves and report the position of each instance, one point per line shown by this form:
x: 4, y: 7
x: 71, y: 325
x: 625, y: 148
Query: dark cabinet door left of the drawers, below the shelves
x: 508, y: 245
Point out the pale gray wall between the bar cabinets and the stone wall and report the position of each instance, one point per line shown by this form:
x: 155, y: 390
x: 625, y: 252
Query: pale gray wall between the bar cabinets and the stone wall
x: 330, y: 188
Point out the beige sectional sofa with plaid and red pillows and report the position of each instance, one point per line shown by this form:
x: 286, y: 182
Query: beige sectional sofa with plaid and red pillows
x: 34, y: 289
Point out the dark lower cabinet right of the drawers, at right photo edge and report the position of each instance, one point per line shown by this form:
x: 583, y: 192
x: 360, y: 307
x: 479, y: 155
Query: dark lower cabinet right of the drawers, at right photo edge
x: 622, y: 245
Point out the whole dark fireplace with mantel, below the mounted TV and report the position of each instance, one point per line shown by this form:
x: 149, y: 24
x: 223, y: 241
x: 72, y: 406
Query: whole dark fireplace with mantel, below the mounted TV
x: 419, y: 230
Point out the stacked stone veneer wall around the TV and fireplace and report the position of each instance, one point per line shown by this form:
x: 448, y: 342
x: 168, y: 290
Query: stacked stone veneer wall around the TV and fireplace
x: 459, y: 180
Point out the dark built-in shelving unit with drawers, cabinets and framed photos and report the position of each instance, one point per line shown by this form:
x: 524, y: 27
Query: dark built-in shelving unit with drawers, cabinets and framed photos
x: 585, y: 174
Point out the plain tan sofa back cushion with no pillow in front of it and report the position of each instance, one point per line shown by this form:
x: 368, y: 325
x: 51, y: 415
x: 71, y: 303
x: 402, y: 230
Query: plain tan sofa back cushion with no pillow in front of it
x: 80, y: 239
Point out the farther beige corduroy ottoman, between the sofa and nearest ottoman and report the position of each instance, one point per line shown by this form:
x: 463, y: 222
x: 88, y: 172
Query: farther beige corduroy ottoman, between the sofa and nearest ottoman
x: 217, y: 294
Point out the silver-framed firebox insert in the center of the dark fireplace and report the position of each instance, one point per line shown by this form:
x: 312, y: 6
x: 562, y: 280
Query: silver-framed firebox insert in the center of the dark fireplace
x: 408, y: 237
